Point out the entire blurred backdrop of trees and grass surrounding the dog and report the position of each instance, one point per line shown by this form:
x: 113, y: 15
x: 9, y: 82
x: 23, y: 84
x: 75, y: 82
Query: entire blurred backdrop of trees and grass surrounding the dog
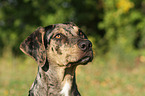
x: 116, y: 28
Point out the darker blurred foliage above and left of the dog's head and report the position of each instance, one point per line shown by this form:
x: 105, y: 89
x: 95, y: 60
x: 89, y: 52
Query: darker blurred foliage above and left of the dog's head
x: 19, y: 18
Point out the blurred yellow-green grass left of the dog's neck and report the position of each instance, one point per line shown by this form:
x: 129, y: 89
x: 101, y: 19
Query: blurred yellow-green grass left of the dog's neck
x: 16, y: 75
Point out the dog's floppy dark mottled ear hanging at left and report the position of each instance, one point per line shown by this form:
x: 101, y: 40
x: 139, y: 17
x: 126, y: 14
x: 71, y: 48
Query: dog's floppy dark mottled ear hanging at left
x: 34, y: 46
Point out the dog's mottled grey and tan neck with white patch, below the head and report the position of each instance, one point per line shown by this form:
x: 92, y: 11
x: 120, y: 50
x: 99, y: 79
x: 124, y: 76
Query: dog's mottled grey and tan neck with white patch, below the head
x: 57, y: 81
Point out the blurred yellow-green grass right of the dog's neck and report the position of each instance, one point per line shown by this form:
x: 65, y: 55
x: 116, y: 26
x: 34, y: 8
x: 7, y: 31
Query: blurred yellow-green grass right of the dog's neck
x: 102, y: 78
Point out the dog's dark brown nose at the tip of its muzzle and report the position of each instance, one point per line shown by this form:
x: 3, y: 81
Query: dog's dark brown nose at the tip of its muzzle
x: 84, y: 45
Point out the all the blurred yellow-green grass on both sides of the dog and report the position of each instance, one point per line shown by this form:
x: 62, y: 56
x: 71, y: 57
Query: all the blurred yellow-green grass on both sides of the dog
x: 109, y: 75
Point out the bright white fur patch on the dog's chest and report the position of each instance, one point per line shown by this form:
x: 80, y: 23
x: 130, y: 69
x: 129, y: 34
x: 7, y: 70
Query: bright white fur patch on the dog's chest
x: 66, y: 89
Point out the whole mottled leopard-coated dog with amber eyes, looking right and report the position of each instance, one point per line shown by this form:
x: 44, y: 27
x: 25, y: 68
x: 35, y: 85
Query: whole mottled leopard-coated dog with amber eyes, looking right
x: 58, y: 49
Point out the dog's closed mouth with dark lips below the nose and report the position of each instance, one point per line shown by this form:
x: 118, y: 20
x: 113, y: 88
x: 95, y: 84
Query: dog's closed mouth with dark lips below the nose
x: 82, y: 61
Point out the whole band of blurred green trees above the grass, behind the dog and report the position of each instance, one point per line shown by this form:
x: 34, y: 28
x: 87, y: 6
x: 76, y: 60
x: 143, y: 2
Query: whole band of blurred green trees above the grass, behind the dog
x: 110, y: 22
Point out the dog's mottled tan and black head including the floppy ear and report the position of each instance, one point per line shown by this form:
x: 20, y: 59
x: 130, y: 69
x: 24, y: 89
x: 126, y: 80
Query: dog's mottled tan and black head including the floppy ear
x: 60, y: 44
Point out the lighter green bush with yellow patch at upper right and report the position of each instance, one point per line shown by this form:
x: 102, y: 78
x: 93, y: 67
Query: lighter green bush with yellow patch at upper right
x: 123, y: 23
